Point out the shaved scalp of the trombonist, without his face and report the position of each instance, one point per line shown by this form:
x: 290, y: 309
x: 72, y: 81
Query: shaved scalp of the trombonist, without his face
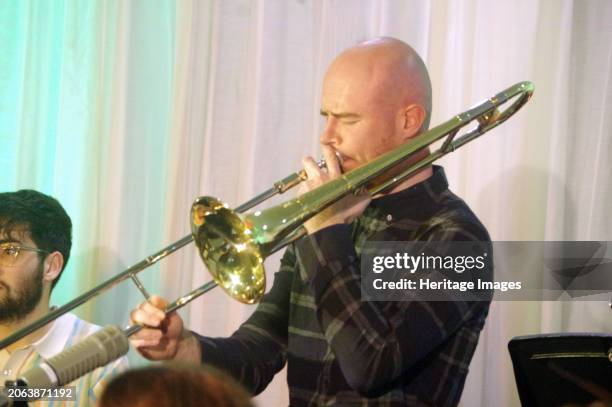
x: 392, y: 70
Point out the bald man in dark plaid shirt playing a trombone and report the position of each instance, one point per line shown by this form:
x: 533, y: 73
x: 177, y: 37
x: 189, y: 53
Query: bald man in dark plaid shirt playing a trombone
x: 339, y: 349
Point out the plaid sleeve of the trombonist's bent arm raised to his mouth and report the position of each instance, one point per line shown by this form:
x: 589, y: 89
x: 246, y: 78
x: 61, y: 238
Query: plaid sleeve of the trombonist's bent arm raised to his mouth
x: 376, y: 342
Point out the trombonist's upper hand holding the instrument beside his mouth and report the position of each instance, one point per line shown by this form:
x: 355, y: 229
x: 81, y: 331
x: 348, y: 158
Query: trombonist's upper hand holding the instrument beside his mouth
x: 343, y: 211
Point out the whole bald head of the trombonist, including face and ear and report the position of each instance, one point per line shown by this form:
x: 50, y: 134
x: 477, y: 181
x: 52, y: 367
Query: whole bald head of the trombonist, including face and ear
x: 376, y: 97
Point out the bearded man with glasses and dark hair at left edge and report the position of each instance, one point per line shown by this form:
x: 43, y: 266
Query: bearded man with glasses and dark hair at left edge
x: 35, y: 242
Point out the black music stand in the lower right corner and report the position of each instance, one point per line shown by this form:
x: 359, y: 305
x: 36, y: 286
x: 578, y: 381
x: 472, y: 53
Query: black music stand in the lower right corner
x: 562, y: 369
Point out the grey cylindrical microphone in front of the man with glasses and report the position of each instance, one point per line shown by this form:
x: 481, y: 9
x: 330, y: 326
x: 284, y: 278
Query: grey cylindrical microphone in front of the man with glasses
x: 94, y: 351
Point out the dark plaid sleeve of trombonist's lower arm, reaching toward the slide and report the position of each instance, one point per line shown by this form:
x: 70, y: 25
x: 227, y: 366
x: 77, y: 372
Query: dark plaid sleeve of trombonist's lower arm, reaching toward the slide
x: 257, y: 350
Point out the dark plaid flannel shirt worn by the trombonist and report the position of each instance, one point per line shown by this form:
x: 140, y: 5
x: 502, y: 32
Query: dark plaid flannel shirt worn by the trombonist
x: 344, y: 351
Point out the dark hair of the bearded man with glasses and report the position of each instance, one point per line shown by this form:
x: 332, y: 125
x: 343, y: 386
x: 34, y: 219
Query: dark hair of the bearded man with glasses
x: 42, y: 216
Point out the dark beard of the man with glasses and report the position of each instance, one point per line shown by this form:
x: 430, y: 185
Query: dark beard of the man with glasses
x: 14, y: 308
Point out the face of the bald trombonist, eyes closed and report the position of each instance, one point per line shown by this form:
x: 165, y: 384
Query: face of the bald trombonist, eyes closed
x: 362, y: 118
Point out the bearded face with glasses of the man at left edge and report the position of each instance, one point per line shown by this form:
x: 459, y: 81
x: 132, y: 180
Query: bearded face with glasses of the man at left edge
x: 21, y: 285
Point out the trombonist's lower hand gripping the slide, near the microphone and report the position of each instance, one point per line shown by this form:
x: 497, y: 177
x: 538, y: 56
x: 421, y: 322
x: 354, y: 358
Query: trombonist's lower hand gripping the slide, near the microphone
x: 163, y: 336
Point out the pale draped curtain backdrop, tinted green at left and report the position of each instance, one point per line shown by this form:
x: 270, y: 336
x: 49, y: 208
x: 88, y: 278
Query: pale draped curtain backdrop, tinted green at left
x: 221, y: 98
